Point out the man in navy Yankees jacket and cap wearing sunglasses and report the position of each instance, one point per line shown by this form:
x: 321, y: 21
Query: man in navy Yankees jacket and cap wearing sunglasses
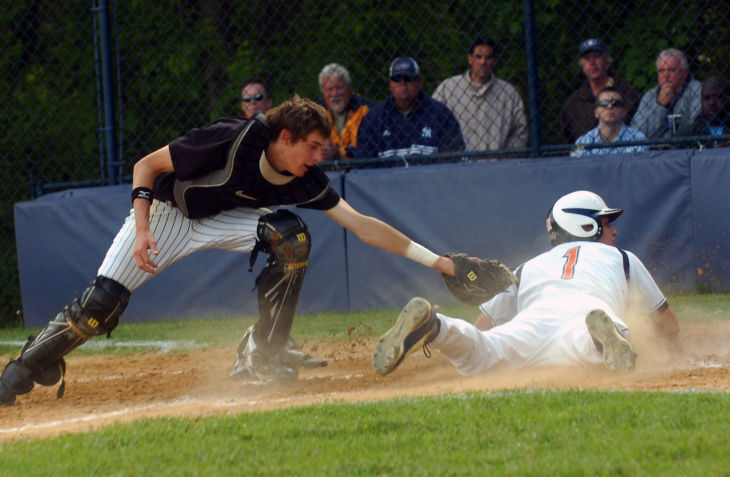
x: 409, y: 121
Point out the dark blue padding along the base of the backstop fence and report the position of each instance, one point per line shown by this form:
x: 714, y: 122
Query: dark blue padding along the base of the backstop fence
x: 676, y: 221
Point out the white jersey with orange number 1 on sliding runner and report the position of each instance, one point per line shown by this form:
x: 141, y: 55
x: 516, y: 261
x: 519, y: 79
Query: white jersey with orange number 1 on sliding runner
x: 578, y: 274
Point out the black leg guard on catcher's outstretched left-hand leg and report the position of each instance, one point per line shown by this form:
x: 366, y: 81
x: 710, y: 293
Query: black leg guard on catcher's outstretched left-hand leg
x: 95, y: 312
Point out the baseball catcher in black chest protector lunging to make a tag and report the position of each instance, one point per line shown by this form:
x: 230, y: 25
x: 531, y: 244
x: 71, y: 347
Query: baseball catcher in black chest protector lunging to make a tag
x: 212, y: 188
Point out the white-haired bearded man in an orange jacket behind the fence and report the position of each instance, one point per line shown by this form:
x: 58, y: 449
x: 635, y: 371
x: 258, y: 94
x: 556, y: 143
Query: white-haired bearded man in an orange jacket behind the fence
x: 345, y: 110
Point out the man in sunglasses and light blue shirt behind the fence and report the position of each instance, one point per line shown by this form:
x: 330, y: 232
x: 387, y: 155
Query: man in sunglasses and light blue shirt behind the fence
x: 610, y: 110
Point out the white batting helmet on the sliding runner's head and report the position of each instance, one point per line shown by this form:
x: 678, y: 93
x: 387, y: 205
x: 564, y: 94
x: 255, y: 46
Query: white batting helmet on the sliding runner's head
x: 576, y: 217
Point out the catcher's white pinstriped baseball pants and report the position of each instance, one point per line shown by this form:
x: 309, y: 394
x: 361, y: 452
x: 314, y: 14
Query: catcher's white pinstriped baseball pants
x: 178, y: 236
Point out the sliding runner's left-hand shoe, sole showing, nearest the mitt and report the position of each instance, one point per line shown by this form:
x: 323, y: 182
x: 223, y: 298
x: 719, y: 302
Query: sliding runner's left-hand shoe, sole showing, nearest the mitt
x: 415, y: 327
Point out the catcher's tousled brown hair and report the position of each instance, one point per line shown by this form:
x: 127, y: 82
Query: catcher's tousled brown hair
x: 299, y: 116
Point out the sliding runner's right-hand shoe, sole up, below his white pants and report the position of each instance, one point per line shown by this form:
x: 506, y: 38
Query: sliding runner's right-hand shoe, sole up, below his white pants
x: 618, y: 354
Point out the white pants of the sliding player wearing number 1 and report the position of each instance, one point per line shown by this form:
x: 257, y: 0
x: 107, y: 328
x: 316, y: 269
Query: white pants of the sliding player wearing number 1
x: 536, y: 337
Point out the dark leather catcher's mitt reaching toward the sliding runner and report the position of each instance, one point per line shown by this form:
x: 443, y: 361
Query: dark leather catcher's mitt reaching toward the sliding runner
x: 477, y: 280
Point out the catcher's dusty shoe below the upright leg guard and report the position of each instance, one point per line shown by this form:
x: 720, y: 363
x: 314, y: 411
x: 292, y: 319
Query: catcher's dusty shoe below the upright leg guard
x: 250, y: 364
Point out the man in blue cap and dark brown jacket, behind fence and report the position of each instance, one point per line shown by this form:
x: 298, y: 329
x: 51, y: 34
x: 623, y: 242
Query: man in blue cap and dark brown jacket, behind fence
x: 577, y: 115
